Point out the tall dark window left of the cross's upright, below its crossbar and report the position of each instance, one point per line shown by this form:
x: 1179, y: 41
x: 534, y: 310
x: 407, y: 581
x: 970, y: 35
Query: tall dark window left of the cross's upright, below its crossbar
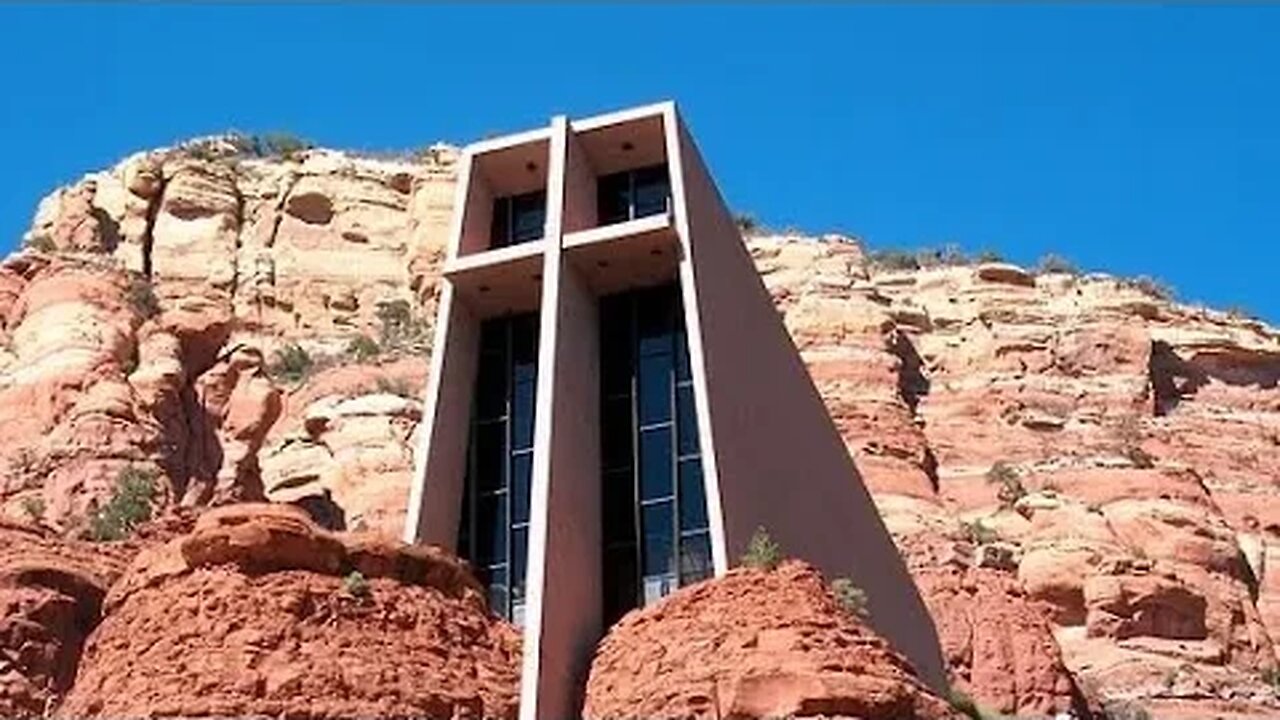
x: 493, y: 535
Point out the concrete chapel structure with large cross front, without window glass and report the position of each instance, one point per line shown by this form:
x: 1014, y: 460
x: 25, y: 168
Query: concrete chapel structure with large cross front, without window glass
x: 771, y: 454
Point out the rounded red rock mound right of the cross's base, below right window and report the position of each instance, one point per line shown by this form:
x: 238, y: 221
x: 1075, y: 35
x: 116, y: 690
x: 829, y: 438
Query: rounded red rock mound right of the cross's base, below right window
x: 755, y: 644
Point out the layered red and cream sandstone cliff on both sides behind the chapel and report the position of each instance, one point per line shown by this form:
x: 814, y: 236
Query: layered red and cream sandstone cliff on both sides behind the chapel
x: 1084, y: 476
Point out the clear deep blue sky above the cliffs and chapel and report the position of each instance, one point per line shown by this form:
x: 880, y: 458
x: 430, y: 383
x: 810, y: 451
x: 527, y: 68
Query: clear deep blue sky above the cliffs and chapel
x: 1137, y: 140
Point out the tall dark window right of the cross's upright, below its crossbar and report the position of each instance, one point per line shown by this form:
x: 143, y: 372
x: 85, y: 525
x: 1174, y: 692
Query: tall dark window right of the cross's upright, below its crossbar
x: 655, y: 509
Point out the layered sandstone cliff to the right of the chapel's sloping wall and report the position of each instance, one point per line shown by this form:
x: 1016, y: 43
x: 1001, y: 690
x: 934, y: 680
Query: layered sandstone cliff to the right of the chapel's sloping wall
x: 1036, y: 414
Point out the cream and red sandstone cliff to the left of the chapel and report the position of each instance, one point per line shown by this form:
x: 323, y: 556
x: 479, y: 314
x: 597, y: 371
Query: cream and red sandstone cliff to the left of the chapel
x: 145, y: 330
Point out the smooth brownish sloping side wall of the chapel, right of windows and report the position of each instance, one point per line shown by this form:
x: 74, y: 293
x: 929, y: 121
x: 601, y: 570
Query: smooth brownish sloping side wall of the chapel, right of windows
x: 780, y: 461
